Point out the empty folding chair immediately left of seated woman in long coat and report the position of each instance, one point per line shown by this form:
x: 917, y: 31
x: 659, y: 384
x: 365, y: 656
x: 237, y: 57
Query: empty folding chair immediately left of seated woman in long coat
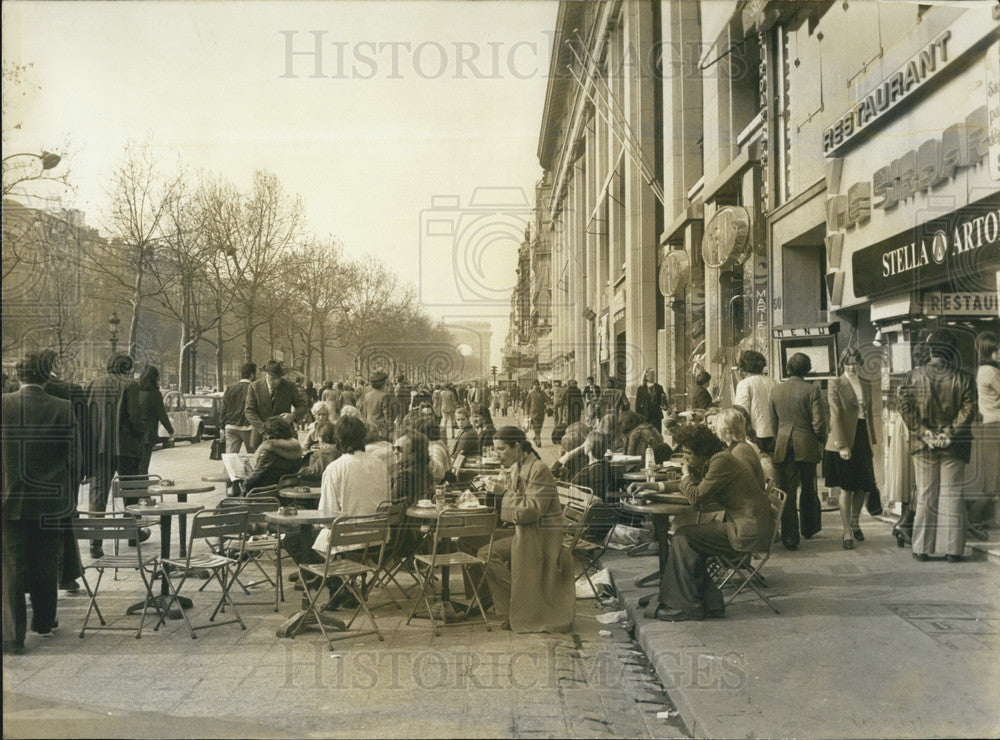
x: 453, y: 525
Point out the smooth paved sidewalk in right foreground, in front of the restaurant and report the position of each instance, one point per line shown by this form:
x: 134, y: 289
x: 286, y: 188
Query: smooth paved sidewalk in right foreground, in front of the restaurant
x: 869, y: 643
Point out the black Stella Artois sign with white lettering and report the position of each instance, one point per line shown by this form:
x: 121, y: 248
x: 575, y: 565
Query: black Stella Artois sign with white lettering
x: 956, y: 246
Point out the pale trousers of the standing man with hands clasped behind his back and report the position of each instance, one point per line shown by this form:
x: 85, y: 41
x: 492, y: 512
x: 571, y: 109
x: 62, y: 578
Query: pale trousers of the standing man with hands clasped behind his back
x: 939, y: 524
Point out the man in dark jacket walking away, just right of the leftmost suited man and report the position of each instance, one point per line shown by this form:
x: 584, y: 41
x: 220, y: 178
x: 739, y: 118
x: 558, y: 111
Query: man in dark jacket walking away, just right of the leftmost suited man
x: 115, y: 432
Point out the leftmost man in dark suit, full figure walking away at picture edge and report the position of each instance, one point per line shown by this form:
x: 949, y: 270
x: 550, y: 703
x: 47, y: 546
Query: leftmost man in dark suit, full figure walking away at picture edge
x: 41, y: 473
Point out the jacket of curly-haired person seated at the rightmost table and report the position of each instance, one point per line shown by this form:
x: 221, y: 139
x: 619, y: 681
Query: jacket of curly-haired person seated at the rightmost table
x: 730, y: 483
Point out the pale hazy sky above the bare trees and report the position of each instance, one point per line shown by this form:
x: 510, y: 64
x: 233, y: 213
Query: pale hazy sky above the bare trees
x: 410, y: 136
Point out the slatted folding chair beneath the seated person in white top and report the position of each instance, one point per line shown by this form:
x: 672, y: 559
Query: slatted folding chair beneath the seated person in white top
x: 350, y: 537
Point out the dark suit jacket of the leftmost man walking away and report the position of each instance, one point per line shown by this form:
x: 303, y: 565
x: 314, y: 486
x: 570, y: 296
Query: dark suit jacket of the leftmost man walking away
x: 41, y: 455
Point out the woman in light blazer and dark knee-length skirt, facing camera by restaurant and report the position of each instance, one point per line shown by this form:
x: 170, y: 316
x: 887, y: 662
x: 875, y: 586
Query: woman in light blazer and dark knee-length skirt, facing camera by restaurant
x: 848, y: 452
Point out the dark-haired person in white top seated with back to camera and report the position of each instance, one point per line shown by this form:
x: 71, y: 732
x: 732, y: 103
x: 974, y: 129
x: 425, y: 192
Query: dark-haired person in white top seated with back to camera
x: 353, y: 484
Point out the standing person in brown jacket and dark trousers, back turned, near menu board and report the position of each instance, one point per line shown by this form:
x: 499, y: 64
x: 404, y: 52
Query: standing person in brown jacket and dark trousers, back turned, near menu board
x: 797, y: 414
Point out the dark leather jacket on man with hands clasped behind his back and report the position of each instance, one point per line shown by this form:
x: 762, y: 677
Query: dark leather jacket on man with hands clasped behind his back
x: 942, y: 399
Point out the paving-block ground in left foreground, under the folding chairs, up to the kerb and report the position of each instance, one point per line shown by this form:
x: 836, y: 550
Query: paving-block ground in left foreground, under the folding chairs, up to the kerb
x: 228, y: 683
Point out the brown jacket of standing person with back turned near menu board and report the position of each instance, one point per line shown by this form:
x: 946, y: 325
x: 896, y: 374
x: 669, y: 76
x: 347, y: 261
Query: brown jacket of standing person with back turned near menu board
x: 797, y: 415
